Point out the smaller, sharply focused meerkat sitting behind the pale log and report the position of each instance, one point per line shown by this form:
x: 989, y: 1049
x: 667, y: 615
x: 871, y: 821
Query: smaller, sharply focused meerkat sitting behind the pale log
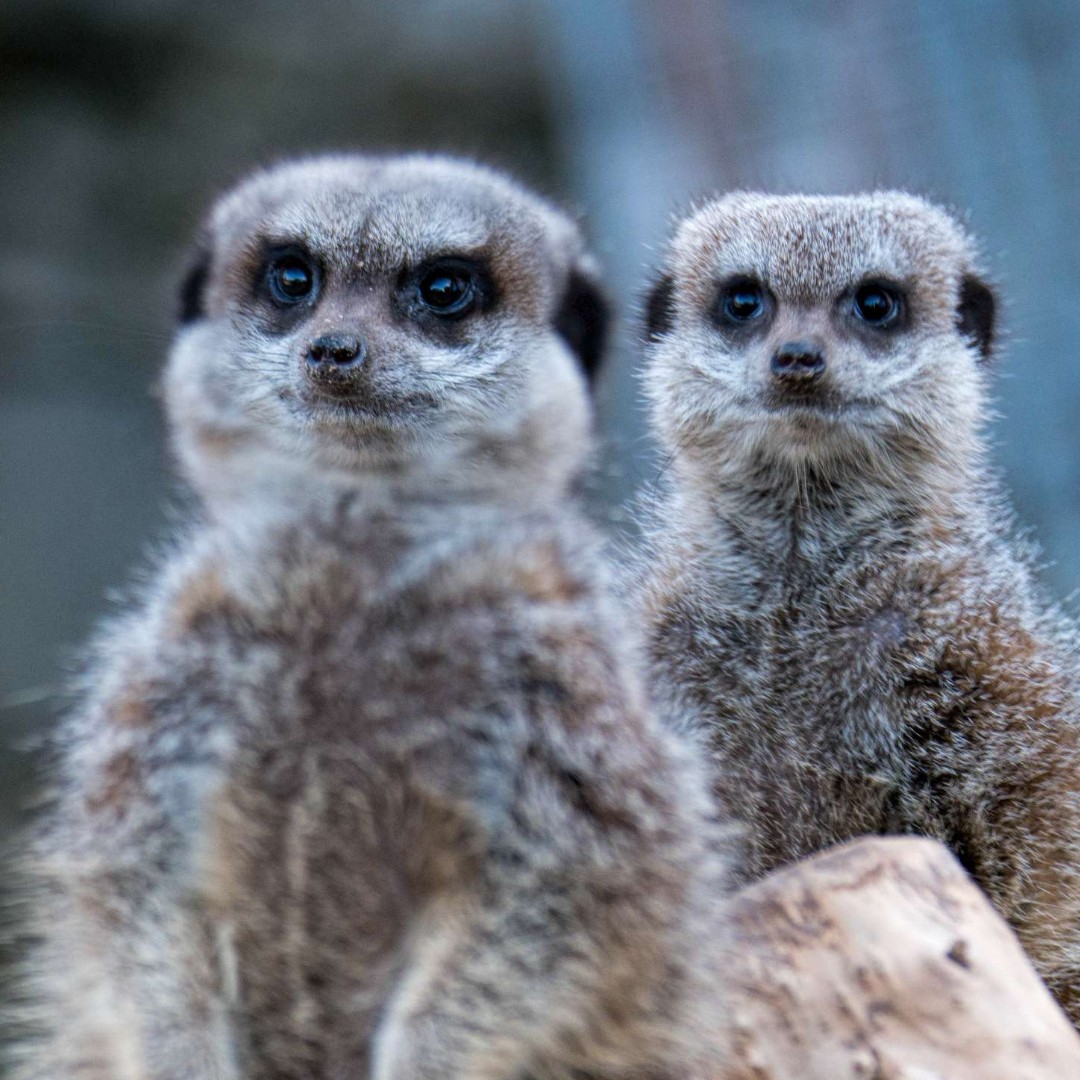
x: 834, y: 598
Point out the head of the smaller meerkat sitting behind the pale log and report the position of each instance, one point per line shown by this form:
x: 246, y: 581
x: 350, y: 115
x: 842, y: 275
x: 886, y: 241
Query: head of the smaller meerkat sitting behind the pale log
x: 819, y: 331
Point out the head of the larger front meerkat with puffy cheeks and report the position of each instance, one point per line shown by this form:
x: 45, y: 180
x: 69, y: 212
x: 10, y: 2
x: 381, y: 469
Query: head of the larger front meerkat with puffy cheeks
x: 354, y: 314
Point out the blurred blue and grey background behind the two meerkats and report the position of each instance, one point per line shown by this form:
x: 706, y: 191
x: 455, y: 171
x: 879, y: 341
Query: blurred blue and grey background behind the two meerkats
x: 121, y: 119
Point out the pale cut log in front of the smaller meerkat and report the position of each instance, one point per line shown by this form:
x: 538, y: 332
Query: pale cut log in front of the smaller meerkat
x: 882, y: 961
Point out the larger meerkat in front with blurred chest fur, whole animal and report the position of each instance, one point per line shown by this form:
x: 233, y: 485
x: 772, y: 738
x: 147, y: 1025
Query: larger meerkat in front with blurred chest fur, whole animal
x: 366, y: 786
